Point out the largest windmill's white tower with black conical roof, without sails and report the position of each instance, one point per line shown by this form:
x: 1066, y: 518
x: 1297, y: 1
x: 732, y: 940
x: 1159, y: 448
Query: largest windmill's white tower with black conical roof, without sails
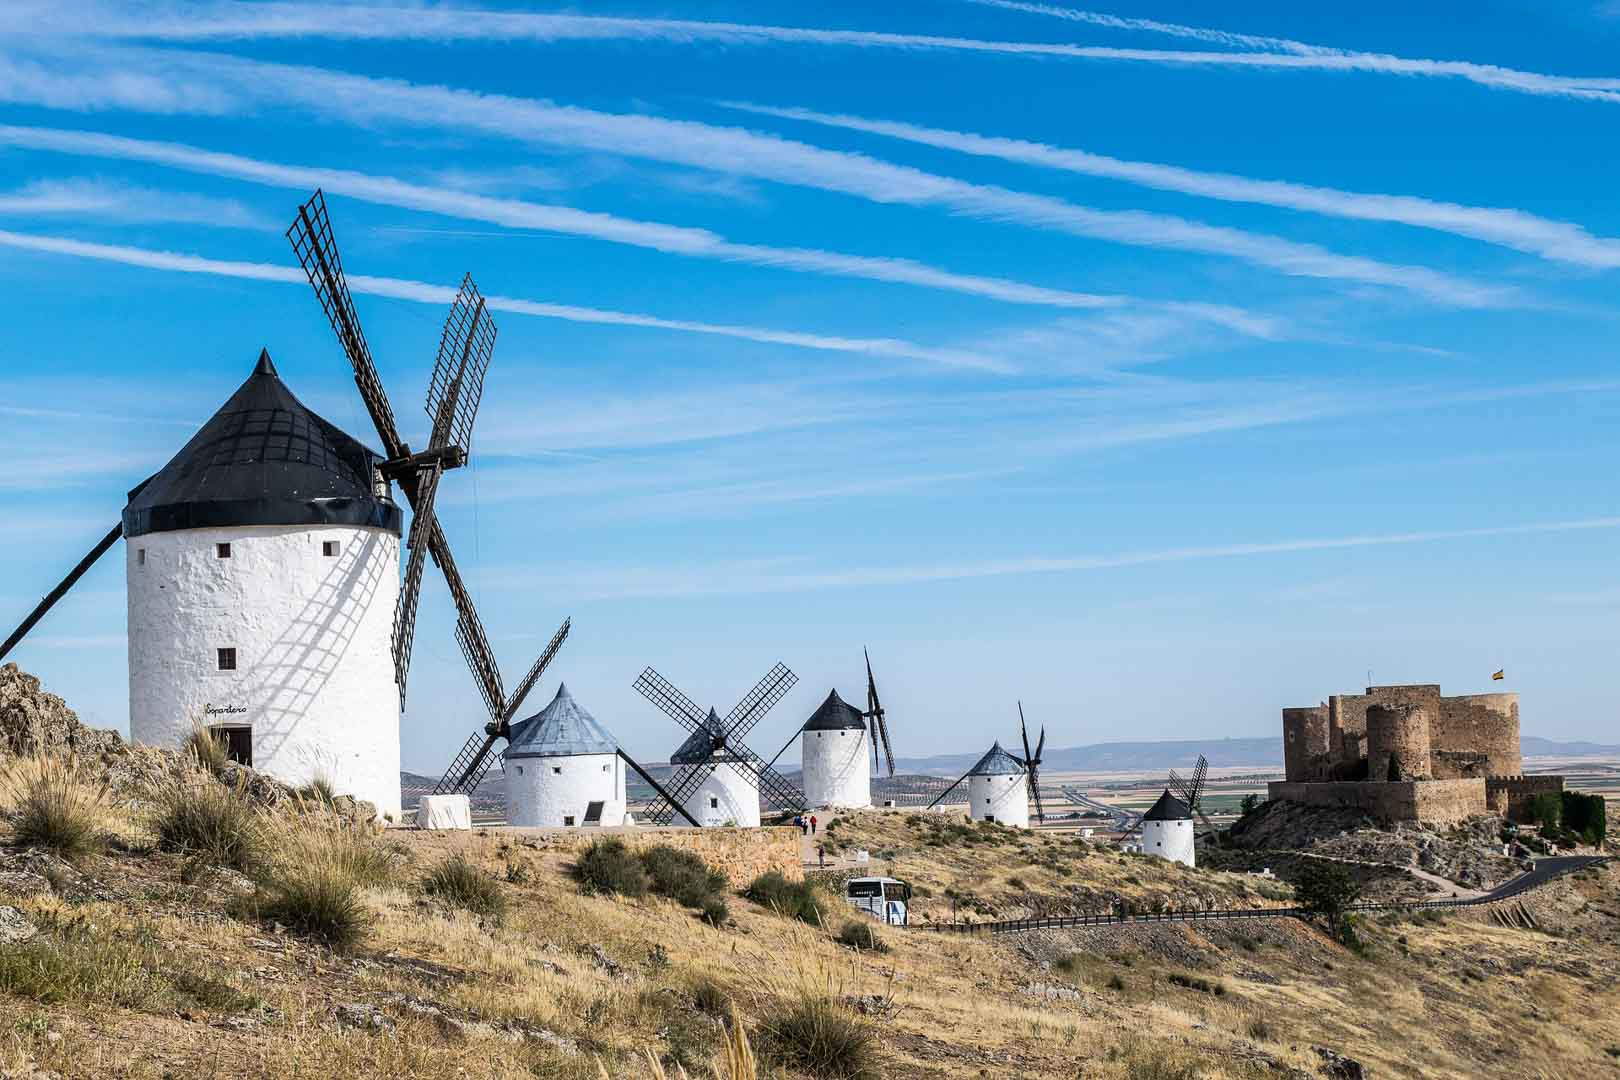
x: 263, y: 574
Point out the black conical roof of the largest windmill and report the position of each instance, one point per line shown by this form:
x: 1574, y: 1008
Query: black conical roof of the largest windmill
x: 263, y: 459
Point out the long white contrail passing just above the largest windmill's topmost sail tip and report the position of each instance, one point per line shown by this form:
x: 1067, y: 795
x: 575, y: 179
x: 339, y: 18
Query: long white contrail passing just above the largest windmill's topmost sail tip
x: 535, y: 216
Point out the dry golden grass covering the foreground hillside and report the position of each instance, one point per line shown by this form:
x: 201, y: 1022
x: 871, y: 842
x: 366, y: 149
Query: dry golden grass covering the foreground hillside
x: 581, y: 969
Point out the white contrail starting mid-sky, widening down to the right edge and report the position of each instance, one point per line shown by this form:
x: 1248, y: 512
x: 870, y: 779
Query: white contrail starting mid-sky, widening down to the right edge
x: 1562, y: 242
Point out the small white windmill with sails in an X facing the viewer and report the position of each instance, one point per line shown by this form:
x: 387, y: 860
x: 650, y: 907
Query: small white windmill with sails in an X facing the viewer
x: 714, y: 762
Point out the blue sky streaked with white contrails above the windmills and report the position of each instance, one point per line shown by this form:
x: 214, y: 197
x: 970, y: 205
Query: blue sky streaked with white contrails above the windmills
x: 1156, y: 365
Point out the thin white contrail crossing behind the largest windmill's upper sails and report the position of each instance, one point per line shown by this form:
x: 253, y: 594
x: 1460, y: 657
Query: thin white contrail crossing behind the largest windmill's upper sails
x: 422, y: 292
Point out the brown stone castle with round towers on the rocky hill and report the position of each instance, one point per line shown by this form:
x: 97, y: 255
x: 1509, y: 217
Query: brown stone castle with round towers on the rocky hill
x: 1409, y: 754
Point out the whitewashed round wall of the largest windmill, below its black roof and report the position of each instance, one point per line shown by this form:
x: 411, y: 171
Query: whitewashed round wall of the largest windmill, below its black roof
x: 310, y: 614
